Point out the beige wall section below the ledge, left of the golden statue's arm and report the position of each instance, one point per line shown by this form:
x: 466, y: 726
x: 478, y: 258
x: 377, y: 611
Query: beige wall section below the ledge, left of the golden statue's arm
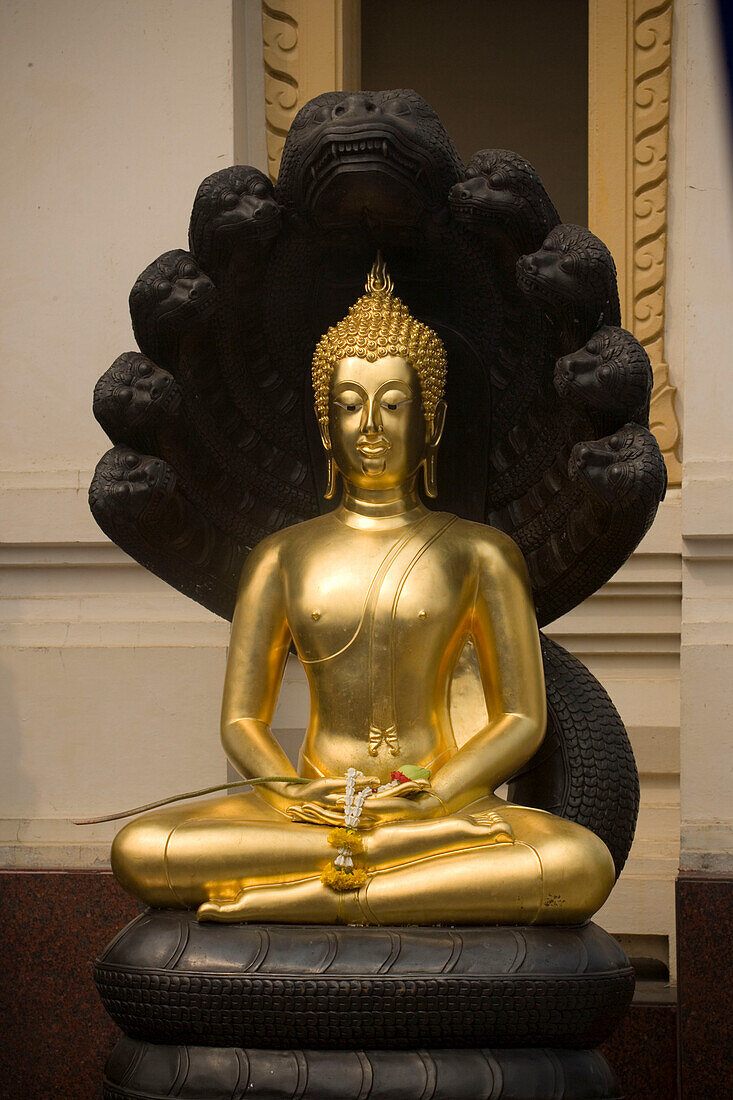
x: 94, y: 730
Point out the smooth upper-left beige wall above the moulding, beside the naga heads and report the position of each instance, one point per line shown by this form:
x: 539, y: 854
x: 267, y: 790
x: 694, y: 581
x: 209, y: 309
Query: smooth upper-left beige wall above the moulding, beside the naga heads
x: 111, y: 122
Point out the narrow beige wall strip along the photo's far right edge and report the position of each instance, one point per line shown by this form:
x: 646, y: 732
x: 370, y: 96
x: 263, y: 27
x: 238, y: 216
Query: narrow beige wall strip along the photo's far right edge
x: 705, y: 261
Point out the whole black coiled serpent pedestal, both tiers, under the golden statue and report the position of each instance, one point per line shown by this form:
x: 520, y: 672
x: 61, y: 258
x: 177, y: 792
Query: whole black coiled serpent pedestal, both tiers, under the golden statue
x: 318, y: 1013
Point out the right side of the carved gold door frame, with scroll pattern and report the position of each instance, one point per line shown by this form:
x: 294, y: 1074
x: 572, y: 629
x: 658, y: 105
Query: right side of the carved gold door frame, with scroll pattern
x: 630, y: 79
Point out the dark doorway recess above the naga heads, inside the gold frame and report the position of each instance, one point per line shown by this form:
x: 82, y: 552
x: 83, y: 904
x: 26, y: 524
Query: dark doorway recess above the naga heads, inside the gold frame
x: 500, y: 75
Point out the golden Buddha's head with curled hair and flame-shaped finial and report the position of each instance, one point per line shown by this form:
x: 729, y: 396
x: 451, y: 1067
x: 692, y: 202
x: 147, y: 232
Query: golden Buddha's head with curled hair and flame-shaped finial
x: 379, y: 379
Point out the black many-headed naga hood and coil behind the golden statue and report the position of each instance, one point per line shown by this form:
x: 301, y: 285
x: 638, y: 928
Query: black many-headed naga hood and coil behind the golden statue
x: 548, y: 435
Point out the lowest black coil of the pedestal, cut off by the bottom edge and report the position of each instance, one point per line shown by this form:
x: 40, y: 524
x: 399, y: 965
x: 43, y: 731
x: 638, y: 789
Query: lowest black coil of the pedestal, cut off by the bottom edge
x: 144, y: 1070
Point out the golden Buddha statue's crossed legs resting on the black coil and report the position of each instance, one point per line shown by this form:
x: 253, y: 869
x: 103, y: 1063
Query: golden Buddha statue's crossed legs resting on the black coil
x: 240, y: 861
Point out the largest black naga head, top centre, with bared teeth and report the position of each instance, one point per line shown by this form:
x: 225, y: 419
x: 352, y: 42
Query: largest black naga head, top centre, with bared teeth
x: 367, y: 160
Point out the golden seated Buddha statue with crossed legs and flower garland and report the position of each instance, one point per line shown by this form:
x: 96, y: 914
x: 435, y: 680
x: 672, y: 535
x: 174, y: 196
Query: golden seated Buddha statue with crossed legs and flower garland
x: 380, y: 598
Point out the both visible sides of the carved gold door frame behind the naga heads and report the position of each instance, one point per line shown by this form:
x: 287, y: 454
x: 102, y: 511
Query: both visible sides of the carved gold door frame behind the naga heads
x: 314, y: 46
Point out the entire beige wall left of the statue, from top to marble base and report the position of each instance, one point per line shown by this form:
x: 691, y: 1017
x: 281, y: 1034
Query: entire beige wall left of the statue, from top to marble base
x: 111, y: 681
